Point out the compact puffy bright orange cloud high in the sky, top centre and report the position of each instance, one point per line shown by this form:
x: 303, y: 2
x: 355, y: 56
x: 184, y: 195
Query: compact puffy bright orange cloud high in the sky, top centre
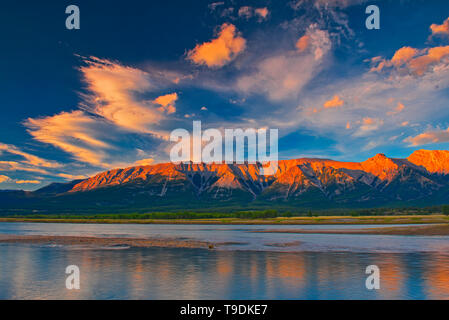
x: 220, y: 51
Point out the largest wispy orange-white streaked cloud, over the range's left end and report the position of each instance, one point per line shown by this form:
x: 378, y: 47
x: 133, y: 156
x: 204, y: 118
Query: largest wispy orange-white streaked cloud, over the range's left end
x: 113, y: 119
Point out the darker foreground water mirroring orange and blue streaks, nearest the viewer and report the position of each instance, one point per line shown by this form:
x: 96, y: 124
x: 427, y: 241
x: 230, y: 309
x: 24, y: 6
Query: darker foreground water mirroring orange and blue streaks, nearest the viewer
x: 34, y: 272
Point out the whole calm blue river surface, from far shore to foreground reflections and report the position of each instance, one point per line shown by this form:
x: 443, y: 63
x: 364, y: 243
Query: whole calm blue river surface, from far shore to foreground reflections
x: 315, y: 267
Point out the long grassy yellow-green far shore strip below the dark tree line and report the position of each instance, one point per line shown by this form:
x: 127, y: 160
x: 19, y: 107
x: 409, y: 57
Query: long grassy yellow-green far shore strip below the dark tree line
x: 327, y: 220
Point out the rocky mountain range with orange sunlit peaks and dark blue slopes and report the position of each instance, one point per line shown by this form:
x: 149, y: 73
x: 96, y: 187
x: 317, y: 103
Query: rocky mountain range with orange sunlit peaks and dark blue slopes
x: 420, y: 180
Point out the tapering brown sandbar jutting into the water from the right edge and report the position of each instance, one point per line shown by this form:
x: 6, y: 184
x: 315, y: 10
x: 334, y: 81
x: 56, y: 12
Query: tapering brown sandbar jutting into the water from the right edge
x: 429, y: 230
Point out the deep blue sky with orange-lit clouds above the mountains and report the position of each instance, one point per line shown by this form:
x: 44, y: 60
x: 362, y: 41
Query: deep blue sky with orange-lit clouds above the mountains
x: 78, y: 102
